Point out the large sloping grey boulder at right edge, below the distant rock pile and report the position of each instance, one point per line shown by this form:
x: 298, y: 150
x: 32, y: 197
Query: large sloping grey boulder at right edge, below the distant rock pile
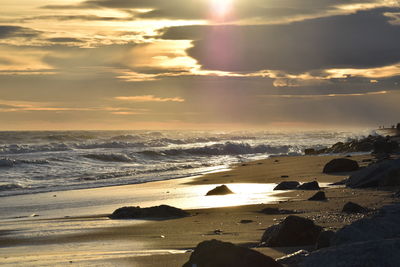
x: 385, y: 173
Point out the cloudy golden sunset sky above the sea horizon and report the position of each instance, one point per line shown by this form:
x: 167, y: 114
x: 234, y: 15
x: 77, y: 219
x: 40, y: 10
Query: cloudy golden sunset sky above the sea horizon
x: 198, y: 64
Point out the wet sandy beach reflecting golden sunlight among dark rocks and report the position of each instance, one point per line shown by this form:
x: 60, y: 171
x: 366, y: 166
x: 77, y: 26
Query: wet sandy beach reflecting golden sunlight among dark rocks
x: 72, y: 227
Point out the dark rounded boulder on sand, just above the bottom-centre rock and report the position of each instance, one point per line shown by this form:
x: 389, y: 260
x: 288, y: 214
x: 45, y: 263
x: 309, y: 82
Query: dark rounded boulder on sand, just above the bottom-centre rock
x: 293, y: 231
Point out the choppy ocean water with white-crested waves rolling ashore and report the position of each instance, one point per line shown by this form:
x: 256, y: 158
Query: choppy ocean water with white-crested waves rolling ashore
x: 32, y: 162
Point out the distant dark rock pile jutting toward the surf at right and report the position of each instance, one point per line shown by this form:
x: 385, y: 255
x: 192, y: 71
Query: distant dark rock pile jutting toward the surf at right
x: 375, y: 144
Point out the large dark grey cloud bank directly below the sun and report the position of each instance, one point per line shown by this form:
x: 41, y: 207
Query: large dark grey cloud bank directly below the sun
x: 362, y: 40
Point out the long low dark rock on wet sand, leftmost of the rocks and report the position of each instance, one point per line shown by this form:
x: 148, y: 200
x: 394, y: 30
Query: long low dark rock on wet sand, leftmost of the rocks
x: 158, y: 212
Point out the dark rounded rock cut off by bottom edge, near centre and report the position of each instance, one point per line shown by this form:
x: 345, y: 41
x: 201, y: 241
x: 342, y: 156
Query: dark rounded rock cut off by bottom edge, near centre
x: 216, y: 253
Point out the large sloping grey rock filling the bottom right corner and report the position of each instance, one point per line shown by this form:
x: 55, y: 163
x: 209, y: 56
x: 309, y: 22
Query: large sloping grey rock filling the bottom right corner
x: 364, y: 254
